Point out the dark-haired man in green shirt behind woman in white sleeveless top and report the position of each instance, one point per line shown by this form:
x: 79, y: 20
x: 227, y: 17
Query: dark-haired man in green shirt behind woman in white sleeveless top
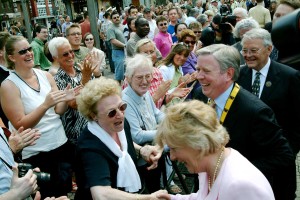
x: 40, y: 60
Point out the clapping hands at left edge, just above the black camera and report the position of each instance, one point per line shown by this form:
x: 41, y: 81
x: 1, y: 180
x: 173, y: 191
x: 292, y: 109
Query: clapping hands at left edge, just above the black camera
x: 23, y: 138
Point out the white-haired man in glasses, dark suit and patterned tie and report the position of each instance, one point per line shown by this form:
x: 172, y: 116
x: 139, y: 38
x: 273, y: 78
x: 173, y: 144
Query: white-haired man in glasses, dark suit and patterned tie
x: 279, y: 88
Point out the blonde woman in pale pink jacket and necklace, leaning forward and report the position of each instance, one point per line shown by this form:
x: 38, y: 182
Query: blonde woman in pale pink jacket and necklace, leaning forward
x: 196, y: 138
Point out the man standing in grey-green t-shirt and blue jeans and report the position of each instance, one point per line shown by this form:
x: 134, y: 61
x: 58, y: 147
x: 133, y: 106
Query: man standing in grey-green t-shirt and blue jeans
x: 116, y: 37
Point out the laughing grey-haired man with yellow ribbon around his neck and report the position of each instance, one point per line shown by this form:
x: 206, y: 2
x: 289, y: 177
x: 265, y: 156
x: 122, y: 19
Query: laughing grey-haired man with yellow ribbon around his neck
x: 251, y: 124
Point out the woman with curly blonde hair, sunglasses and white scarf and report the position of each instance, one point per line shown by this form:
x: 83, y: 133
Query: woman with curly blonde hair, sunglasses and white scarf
x: 106, y: 155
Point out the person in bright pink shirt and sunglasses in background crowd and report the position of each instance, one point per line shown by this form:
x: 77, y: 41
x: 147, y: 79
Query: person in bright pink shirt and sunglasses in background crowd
x: 163, y: 39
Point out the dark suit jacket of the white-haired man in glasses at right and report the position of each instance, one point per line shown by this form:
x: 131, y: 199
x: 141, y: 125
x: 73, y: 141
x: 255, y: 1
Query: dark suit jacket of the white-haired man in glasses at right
x: 282, y: 93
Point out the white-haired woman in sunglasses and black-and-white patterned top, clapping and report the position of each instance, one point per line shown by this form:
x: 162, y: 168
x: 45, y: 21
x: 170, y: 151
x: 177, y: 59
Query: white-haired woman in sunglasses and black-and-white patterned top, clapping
x: 76, y: 76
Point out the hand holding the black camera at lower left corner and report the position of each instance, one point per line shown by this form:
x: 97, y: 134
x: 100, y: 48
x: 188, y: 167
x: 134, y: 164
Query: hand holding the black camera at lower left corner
x: 23, y: 186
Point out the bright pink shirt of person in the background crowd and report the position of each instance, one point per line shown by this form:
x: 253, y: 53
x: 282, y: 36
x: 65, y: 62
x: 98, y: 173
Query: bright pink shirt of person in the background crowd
x: 163, y: 42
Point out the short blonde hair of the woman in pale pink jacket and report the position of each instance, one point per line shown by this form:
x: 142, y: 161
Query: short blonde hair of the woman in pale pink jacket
x: 192, y: 124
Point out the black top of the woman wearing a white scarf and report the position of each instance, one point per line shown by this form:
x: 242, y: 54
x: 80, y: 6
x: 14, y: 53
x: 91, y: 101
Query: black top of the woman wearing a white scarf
x: 96, y: 165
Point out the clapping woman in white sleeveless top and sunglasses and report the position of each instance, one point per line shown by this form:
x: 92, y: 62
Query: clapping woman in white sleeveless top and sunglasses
x: 31, y: 99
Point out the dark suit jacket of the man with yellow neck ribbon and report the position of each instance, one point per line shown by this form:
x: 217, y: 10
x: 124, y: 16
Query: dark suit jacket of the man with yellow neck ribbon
x: 255, y: 133
